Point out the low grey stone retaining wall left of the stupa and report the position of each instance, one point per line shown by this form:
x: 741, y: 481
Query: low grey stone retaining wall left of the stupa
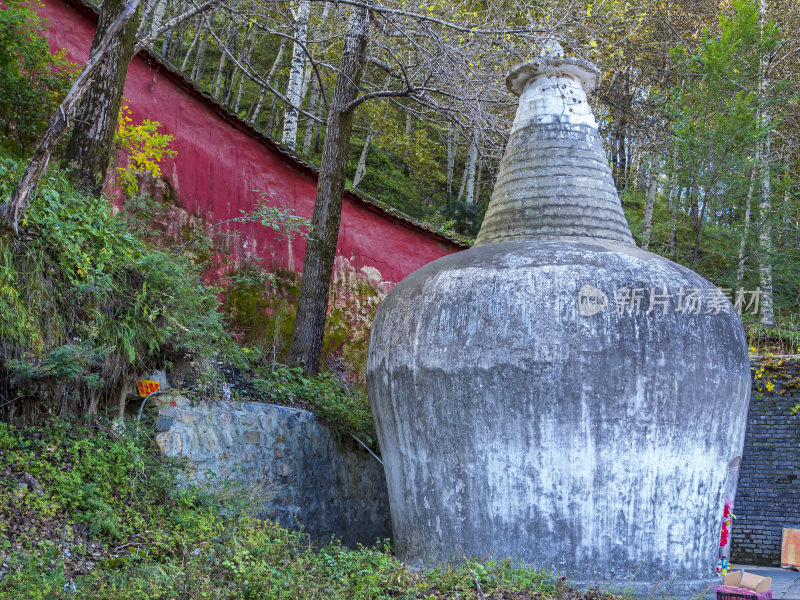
x: 309, y: 480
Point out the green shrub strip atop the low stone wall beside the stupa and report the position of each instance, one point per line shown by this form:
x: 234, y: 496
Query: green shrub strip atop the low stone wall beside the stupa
x: 344, y: 407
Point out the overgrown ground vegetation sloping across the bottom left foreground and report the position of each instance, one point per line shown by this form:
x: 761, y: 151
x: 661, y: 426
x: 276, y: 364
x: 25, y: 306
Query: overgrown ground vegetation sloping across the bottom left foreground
x: 90, y: 514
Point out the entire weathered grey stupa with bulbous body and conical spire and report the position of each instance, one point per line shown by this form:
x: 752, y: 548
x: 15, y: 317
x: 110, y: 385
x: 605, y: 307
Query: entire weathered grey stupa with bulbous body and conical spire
x: 555, y: 394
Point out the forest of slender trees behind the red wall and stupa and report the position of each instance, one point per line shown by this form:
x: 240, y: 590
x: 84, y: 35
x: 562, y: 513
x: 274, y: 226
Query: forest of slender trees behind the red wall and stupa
x: 698, y: 109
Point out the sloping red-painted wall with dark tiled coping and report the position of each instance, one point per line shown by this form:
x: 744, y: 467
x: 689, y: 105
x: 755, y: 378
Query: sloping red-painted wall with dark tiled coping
x: 220, y: 162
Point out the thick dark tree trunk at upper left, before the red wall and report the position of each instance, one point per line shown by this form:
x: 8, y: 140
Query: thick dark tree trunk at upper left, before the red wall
x: 89, y: 148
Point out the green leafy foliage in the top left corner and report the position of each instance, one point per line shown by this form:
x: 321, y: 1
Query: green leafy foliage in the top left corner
x: 32, y: 80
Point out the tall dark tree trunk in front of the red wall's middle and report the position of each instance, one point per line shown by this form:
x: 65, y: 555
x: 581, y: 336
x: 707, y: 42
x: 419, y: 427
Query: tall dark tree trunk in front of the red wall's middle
x: 309, y: 326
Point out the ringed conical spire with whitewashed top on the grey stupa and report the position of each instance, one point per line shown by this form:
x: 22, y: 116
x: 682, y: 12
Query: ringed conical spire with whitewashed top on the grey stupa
x: 554, y: 181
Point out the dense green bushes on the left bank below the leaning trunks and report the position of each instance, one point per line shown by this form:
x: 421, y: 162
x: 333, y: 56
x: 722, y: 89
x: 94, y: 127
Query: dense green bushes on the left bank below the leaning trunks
x: 84, y: 302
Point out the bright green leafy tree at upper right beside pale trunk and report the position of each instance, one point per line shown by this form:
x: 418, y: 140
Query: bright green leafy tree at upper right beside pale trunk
x: 715, y: 113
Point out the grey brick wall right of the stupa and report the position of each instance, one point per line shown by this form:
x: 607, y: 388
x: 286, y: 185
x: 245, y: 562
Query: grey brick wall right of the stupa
x: 768, y: 495
